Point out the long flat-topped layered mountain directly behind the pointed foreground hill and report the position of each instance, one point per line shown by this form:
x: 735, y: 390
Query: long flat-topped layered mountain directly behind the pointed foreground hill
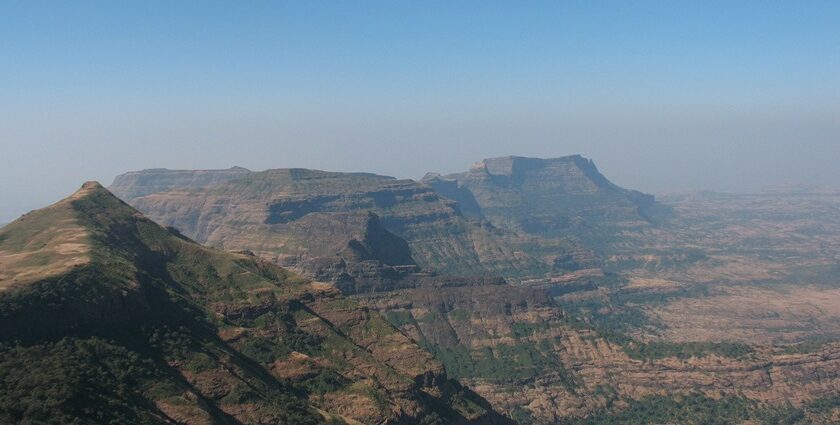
x: 294, y: 215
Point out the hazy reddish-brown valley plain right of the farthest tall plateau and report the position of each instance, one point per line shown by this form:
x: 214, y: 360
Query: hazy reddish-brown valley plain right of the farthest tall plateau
x: 765, y: 264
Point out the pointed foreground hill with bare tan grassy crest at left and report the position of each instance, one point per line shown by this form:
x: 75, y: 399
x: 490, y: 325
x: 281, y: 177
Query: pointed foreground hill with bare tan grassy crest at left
x: 107, y: 317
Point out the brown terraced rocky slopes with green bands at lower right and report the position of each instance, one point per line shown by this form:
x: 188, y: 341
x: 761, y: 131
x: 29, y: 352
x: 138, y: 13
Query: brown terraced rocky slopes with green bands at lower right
x: 544, y: 365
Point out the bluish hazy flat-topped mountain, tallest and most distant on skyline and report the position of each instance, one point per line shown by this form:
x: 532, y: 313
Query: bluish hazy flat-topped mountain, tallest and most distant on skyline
x: 547, y: 197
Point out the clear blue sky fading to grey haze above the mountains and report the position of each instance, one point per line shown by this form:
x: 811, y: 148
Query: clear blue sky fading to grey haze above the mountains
x: 664, y: 95
